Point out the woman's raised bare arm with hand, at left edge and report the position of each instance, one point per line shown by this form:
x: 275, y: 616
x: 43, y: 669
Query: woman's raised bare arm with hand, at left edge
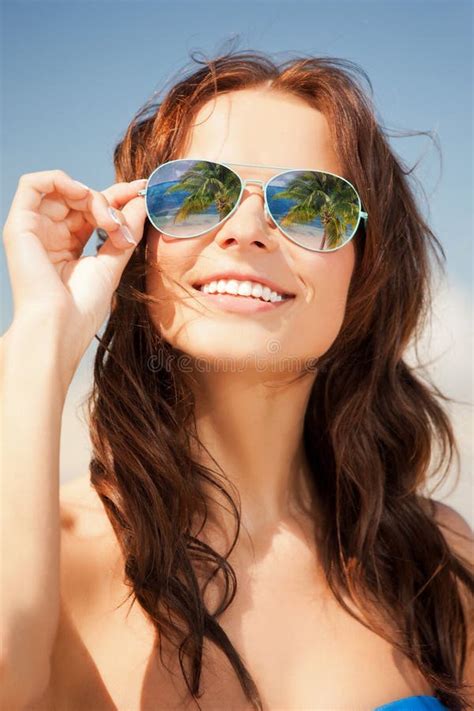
x: 61, y: 299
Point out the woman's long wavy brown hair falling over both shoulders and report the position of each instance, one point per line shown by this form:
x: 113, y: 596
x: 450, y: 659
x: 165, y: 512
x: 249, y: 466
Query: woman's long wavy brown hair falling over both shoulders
x: 373, y: 423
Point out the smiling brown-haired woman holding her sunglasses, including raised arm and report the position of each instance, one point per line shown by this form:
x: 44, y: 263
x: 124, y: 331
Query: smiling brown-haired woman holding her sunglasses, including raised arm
x: 258, y: 457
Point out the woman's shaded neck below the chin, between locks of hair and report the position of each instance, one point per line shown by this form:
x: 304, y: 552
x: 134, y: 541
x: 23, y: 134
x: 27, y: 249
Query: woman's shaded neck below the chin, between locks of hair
x: 253, y: 428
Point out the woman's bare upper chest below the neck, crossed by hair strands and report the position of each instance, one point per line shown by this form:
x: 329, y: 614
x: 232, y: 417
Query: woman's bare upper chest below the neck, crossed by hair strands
x: 302, y: 649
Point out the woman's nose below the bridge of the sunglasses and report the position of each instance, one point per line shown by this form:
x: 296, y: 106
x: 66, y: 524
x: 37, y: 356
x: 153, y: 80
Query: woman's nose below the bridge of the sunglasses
x: 250, y: 225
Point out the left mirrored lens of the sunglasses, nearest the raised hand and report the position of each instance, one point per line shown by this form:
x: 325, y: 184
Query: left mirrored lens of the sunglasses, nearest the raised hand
x: 186, y: 198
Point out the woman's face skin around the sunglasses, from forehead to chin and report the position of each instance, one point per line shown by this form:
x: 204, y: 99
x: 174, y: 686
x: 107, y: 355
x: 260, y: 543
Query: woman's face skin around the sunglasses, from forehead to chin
x: 263, y: 127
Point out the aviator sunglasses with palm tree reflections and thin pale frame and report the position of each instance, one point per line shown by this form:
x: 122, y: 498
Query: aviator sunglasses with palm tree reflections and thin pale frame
x: 317, y: 210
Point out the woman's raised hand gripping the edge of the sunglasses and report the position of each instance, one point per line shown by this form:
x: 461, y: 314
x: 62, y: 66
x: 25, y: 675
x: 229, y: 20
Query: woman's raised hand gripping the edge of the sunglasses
x: 49, y: 224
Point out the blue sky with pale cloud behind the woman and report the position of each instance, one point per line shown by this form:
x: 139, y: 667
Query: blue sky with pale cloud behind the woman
x: 75, y: 72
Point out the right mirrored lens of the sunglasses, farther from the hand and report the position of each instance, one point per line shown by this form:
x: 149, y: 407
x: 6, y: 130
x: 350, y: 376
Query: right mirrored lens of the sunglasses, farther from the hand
x: 317, y: 210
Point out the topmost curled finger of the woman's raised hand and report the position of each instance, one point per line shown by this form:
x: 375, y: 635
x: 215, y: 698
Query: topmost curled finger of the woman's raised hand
x: 33, y: 186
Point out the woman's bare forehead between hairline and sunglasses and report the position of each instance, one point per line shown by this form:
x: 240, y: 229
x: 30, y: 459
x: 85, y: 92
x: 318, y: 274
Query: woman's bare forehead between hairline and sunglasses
x: 262, y: 126
